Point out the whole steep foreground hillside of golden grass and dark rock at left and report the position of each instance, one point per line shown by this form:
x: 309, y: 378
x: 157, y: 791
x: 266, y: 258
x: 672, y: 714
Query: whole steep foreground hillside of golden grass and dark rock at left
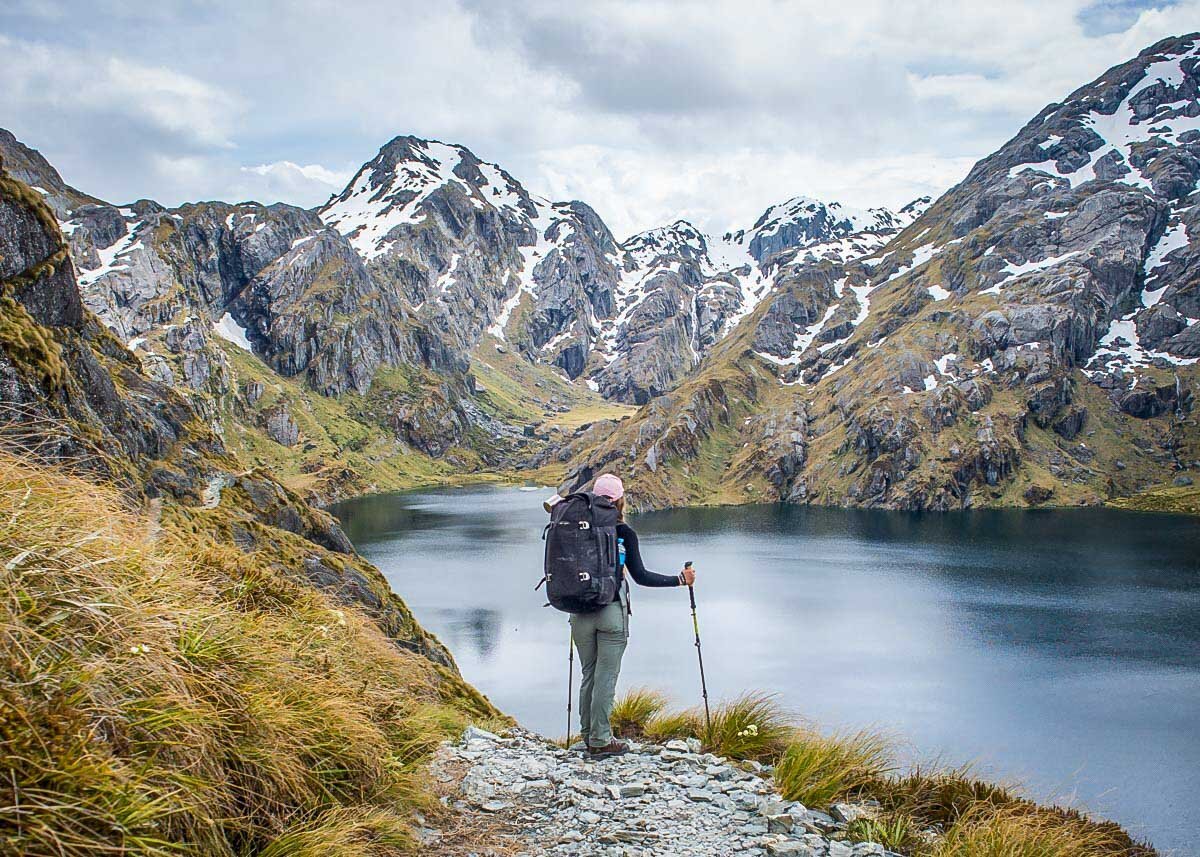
x: 195, y: 661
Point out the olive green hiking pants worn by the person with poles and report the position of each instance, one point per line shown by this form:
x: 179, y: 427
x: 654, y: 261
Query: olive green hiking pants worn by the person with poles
x: 601, y: 639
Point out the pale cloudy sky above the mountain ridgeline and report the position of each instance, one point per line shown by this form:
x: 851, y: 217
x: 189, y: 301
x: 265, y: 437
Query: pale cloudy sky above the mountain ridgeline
x: 647, y: 110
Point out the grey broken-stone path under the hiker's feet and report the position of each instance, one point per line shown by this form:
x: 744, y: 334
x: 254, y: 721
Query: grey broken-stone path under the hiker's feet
x: 662, y: 800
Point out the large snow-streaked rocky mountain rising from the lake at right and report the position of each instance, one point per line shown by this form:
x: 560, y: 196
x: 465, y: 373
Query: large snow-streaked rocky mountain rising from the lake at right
x: 1029, y: 338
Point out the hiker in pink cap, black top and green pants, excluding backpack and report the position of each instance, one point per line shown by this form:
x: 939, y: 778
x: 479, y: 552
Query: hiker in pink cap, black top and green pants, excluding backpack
x: 601, y: 636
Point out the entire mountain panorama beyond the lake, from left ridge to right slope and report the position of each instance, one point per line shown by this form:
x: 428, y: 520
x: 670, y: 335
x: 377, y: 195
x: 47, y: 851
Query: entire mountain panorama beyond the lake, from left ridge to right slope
x: 1029, y: 338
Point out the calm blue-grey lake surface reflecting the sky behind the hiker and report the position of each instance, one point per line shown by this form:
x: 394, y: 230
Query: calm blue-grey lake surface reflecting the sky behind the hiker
x: 1060, y: 650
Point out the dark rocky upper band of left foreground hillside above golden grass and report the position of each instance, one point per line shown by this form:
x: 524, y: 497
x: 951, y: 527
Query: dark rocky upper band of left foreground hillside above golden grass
x: 73, y: 394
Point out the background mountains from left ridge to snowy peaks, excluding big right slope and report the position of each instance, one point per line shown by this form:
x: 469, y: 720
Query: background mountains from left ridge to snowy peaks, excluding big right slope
x: 434, y: 302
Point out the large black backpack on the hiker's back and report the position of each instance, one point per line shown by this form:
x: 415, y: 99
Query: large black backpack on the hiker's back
x: 581, y: 573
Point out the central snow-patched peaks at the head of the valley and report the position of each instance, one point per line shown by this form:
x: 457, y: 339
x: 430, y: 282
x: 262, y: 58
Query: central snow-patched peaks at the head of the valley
x: 475, y: 256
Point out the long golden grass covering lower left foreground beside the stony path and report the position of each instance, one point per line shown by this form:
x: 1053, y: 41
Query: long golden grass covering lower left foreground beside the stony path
x: 164, y: 694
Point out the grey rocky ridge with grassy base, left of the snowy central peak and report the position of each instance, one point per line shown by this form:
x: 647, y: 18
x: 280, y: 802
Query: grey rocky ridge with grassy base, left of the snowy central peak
x: 269, y: 322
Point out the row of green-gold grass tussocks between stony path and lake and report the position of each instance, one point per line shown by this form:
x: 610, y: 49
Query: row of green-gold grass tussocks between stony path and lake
x: 937, y: 812
